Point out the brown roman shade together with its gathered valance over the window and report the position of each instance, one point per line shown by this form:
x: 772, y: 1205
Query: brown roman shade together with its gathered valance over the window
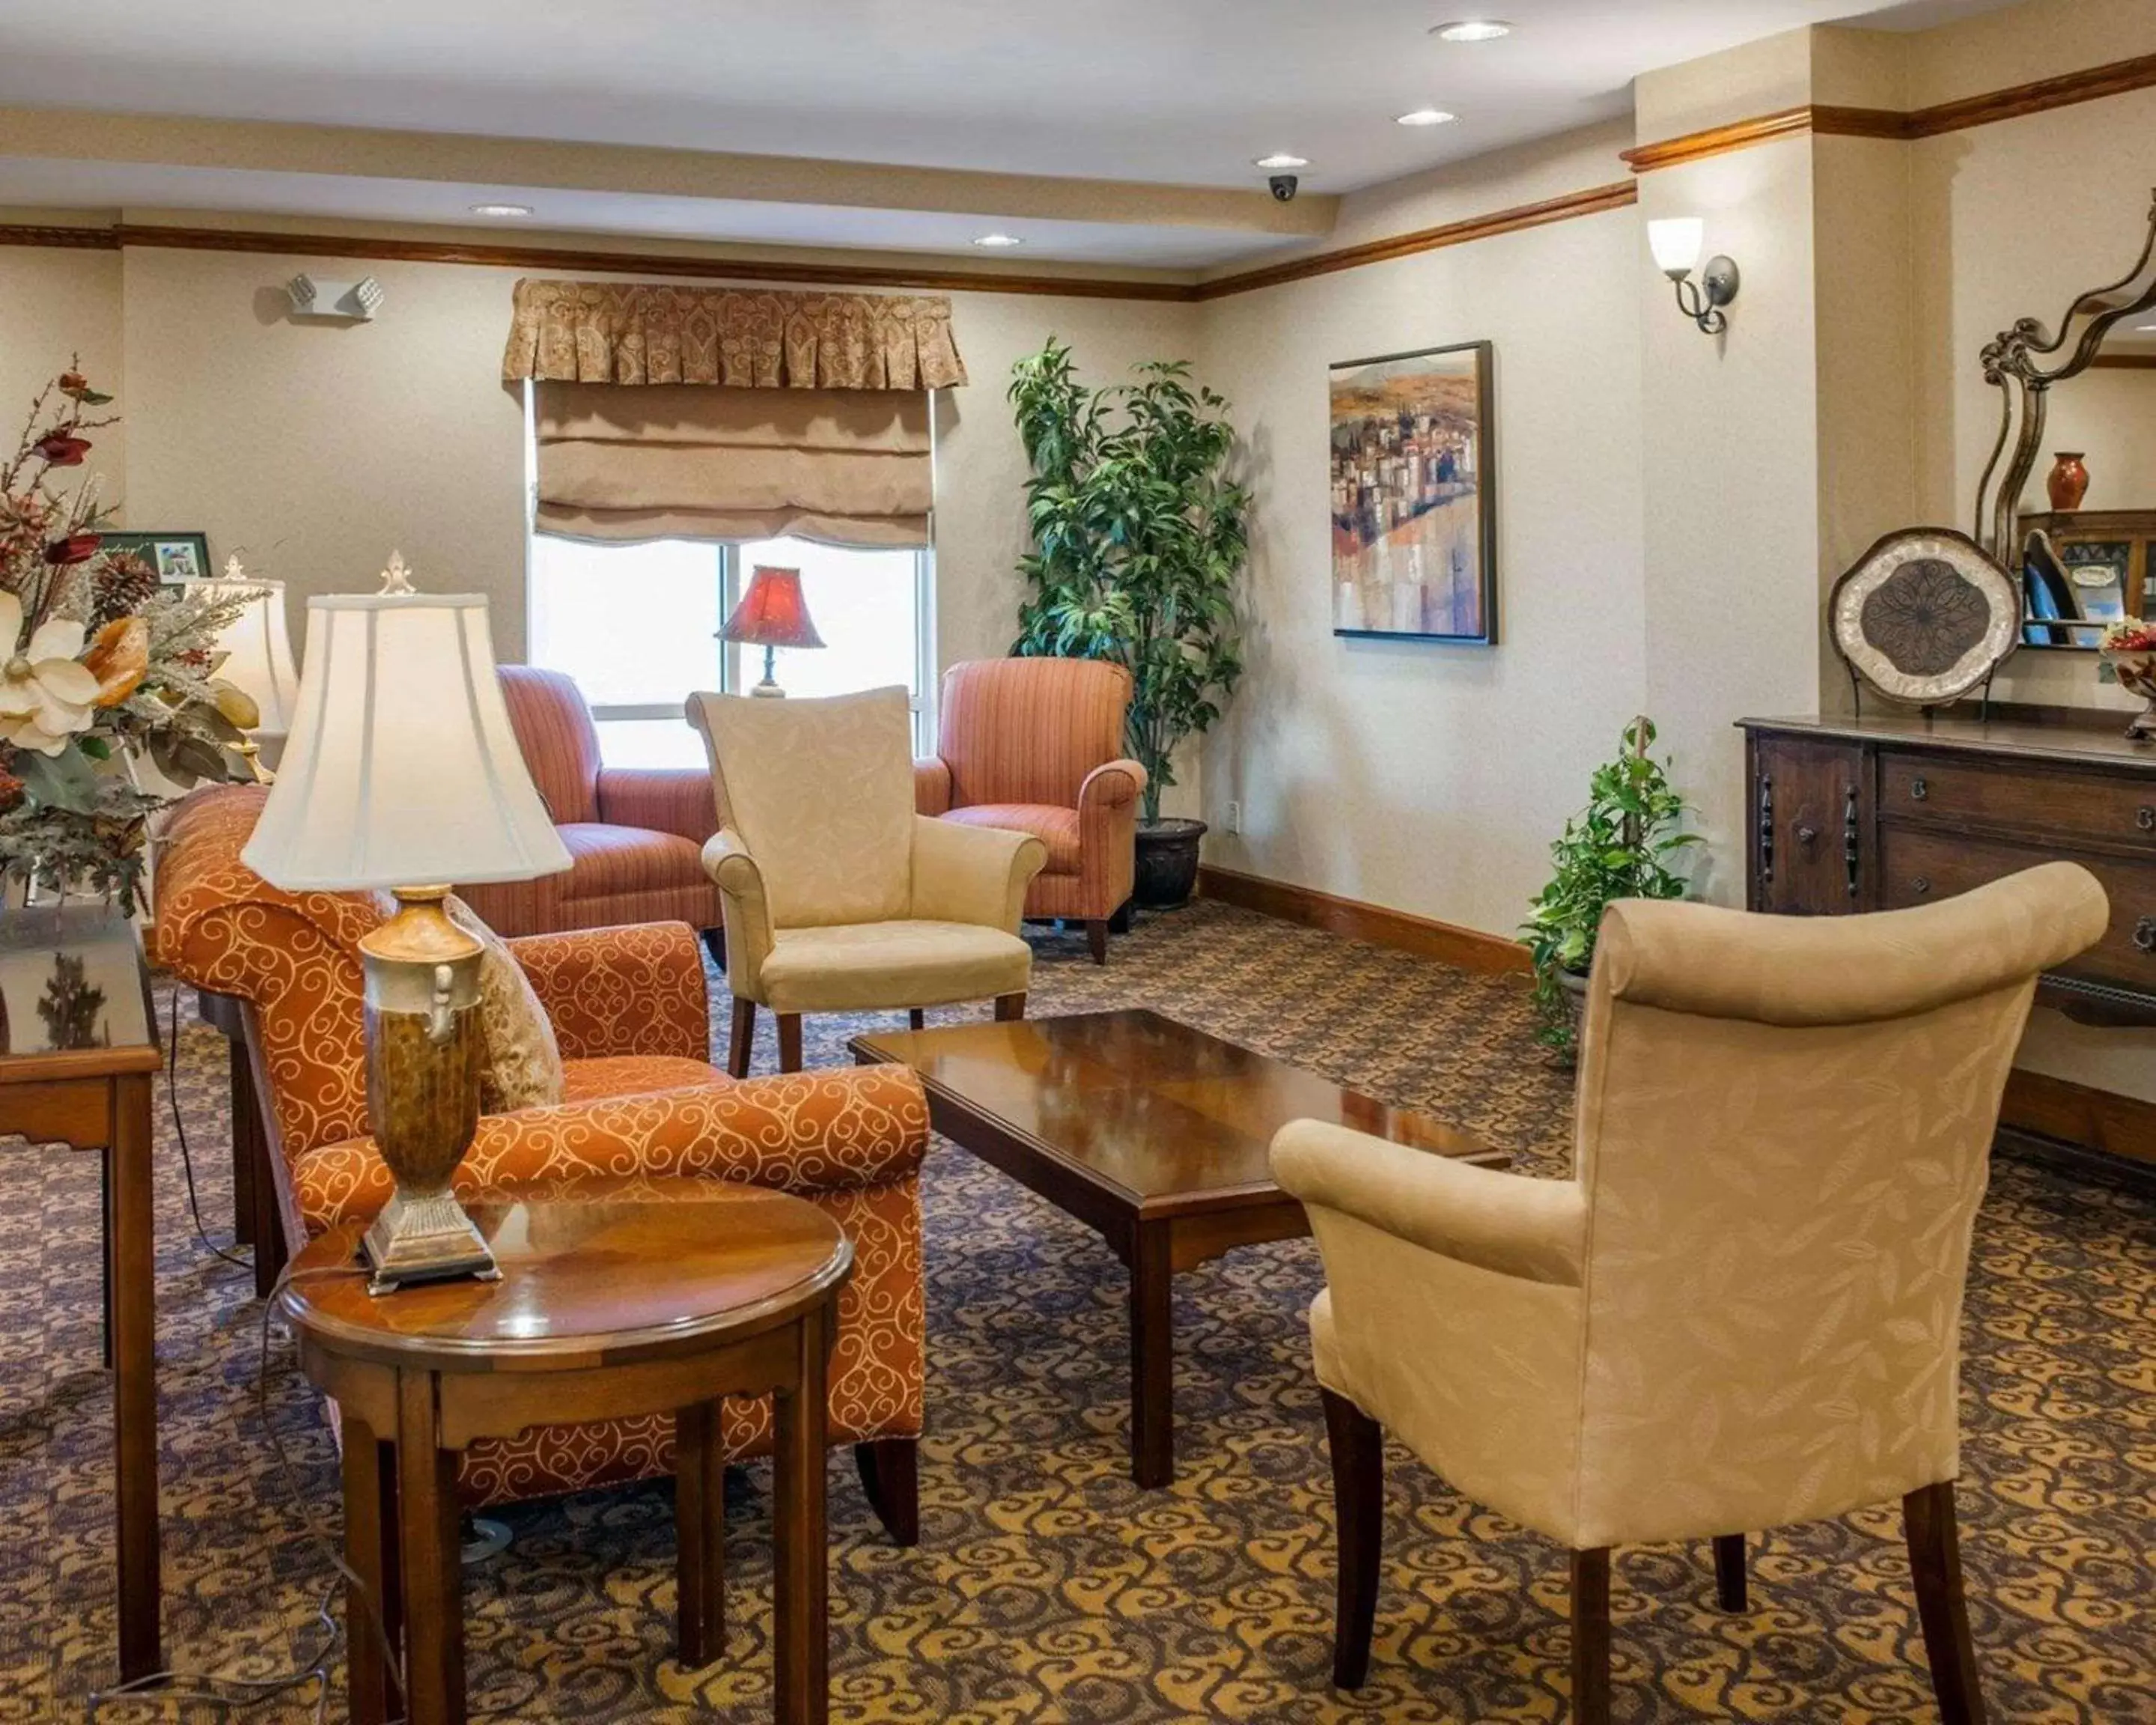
x: 695, y: 413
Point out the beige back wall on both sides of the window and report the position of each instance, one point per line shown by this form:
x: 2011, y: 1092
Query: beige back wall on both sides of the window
x: 314, y: 450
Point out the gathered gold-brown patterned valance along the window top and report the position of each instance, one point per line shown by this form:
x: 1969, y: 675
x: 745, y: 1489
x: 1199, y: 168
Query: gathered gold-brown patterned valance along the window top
x: 644, y: 333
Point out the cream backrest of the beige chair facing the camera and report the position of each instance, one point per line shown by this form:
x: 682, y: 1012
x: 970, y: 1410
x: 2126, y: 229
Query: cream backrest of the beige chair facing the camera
x: 823, y: 792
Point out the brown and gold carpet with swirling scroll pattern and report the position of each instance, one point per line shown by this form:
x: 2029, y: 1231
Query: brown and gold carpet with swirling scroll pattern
x: 1047, y: 1586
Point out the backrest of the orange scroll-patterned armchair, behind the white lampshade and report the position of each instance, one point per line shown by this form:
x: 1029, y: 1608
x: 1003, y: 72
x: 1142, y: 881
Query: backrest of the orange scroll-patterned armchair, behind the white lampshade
x: 294, y: 956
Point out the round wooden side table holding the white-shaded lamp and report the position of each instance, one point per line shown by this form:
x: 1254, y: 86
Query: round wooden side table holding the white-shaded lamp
x: 618, y: 1297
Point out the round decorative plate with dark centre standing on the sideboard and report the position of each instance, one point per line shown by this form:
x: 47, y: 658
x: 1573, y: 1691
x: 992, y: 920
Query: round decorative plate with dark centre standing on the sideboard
x: 1926, y: 616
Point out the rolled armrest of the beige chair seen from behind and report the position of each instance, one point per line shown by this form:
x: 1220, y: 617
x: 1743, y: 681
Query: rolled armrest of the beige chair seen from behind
x: 1525, y: 1228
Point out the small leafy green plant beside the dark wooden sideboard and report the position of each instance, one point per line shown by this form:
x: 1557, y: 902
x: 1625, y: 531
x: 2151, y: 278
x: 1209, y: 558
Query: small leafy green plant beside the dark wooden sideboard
x: 1616, y: 848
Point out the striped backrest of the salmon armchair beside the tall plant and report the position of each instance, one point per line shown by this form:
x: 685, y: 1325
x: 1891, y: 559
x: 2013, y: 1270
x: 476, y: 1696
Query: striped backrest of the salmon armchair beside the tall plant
x: 1029, y: 730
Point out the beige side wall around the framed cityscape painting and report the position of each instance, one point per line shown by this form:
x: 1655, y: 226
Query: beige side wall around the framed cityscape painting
x: 1418, y: 775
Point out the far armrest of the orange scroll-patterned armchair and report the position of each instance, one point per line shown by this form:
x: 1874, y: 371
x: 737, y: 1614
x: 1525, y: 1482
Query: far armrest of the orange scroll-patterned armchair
x: 626, y: 991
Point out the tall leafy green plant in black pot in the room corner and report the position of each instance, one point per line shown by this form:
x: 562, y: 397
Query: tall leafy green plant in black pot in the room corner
x: 1139, y: 538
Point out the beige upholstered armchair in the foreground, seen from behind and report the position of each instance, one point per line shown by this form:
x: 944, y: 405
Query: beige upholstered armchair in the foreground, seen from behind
x: 1747, y: 1306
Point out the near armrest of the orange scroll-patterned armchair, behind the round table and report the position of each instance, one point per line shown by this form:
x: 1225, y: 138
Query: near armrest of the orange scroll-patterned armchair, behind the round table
x: 835, y: 1131
